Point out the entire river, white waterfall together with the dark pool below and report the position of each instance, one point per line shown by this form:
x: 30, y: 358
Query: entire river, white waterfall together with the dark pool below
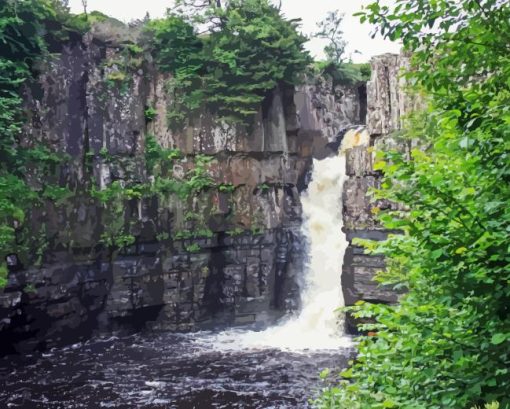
x: 237, y: 368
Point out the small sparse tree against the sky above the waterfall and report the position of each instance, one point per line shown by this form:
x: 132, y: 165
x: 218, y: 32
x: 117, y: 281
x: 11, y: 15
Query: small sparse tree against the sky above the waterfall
x: 330, y: 29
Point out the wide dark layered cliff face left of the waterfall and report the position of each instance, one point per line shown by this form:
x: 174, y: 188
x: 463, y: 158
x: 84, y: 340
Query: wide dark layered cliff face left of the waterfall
x: 91, y: 104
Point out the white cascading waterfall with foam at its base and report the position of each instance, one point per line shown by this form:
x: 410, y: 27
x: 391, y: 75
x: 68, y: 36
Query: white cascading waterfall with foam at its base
x: 317, y: 326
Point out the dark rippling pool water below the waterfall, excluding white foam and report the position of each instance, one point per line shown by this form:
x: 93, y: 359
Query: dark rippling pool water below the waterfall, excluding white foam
x: 163, y: 371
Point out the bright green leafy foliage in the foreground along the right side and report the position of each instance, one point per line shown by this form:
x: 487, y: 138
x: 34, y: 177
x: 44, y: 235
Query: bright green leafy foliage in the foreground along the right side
x: 447, y: 343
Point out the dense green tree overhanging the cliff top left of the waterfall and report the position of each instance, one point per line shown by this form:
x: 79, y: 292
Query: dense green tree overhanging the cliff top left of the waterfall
x: 231, y: 70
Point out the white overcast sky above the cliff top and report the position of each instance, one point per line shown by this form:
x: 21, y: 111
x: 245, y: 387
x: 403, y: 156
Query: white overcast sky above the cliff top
x: 310, y: 11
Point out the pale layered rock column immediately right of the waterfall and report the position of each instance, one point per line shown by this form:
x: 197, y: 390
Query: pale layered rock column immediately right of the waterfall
x: 387, y: 104
